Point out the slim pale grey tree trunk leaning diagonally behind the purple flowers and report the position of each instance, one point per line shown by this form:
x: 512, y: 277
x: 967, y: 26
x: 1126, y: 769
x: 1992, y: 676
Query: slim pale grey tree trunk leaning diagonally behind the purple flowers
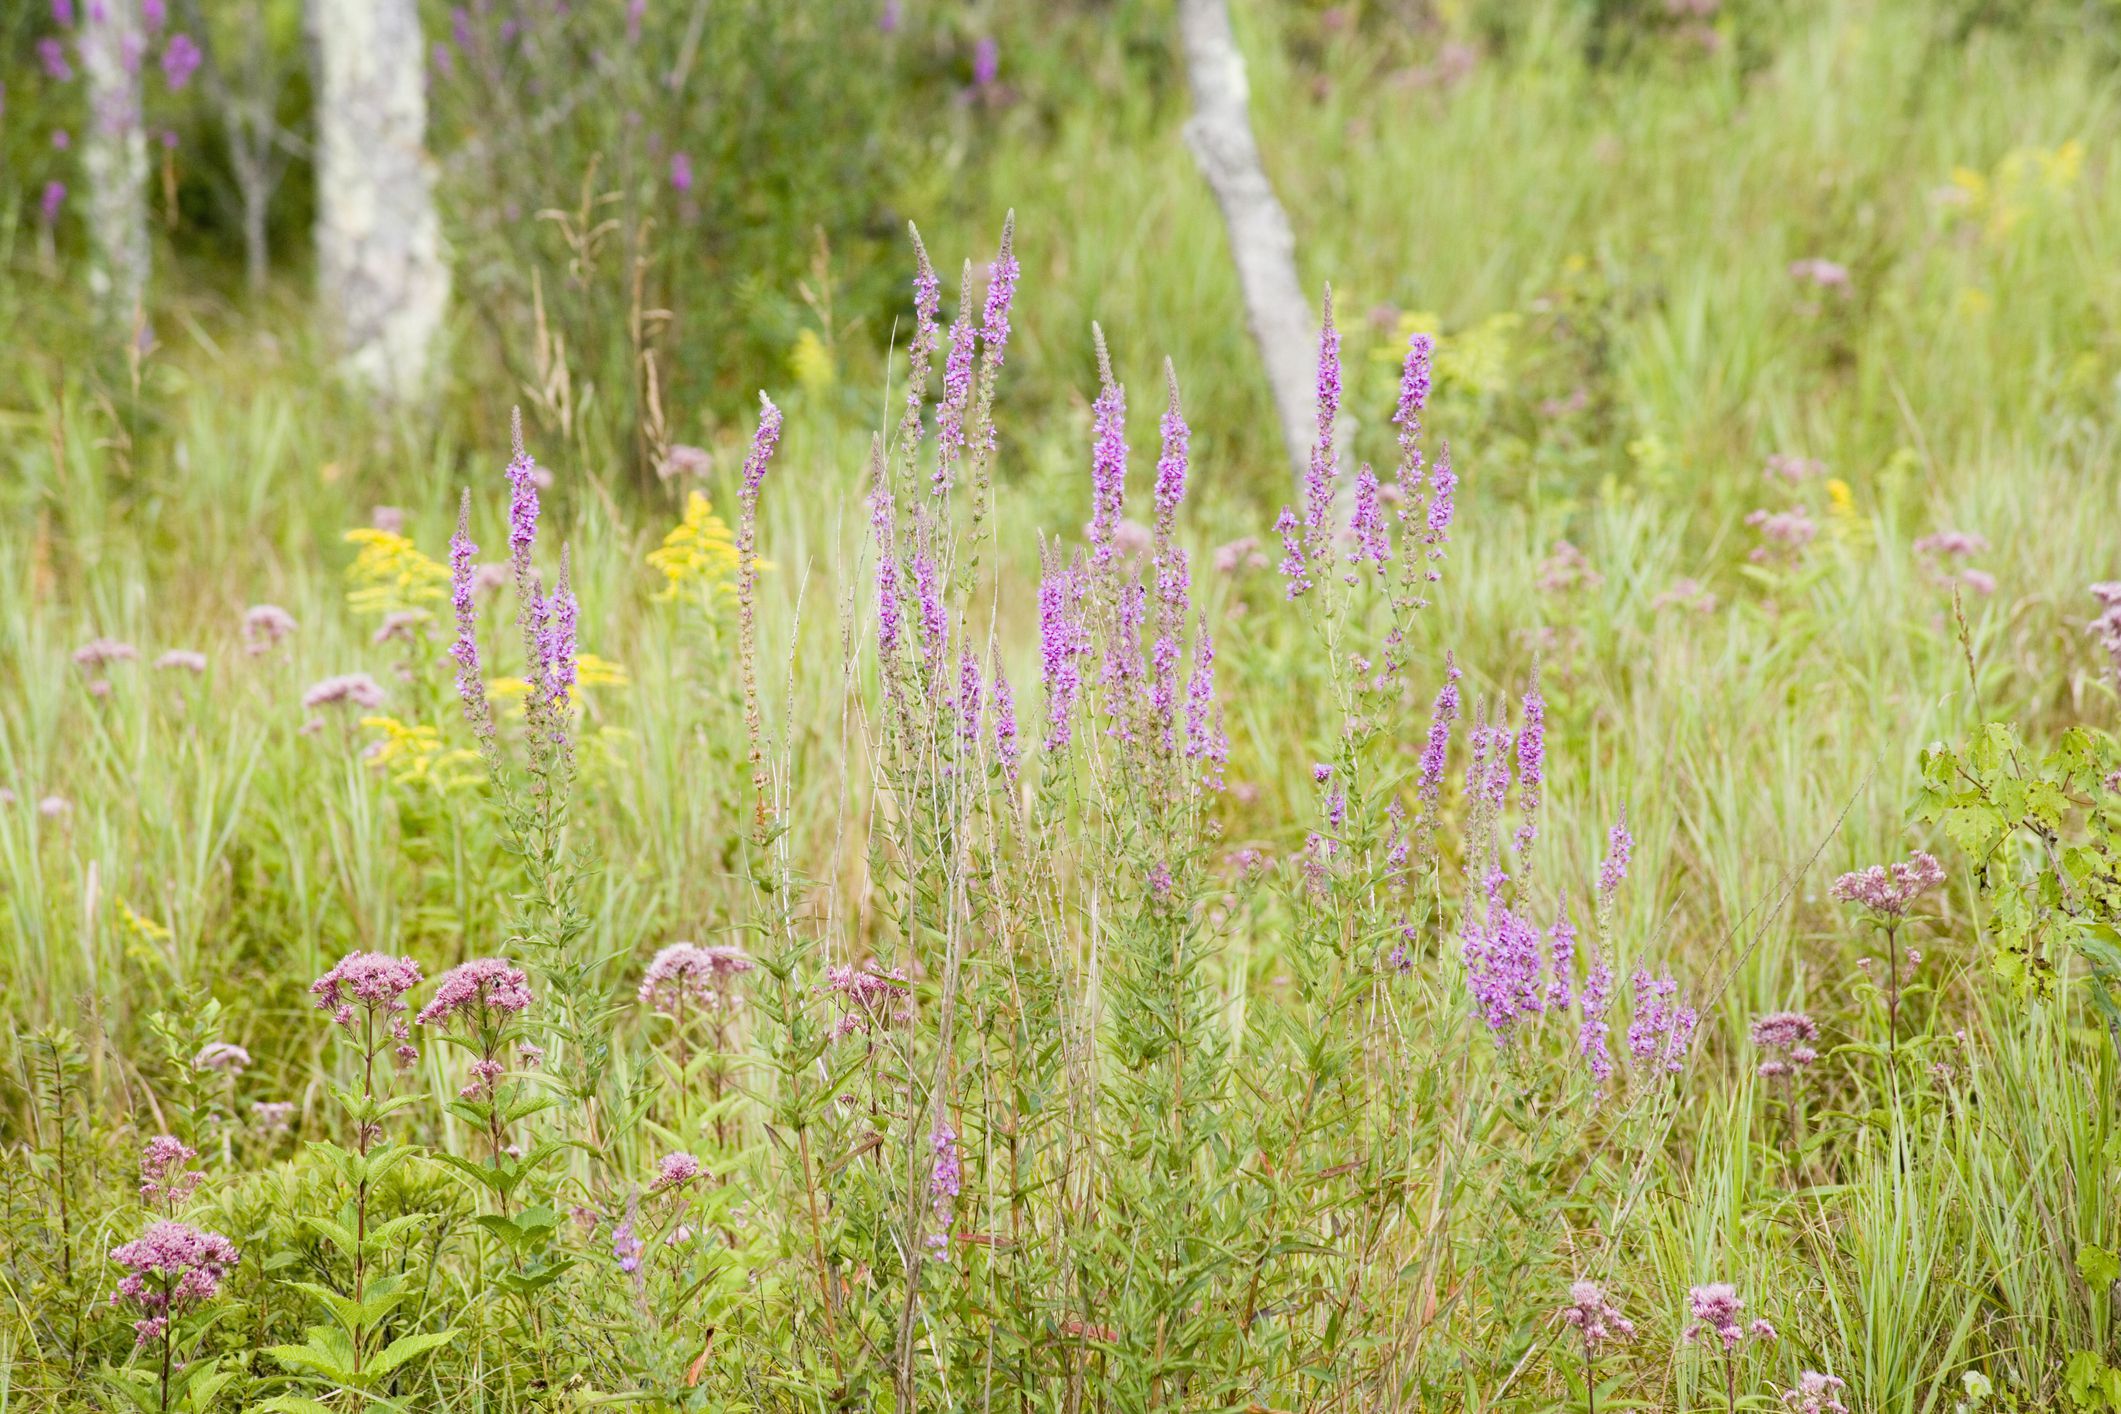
x: 1261, y: 238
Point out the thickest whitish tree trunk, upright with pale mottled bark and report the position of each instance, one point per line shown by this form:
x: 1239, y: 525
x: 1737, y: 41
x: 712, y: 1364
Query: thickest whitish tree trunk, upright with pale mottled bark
x: 379, y: 243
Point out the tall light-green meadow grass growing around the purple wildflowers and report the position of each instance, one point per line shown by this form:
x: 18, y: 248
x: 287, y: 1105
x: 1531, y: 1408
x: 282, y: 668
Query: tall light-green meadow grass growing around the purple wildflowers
x: 1622, y: 236
